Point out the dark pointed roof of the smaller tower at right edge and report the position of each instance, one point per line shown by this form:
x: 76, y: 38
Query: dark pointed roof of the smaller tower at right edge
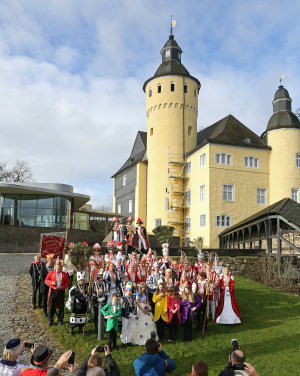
x: 282, y: 117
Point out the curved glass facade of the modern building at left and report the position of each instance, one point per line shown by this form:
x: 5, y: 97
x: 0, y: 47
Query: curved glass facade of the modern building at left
x: 35, y: 210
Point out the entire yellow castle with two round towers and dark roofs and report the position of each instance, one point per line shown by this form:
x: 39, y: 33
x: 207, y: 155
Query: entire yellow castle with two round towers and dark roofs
x: 203, y: 182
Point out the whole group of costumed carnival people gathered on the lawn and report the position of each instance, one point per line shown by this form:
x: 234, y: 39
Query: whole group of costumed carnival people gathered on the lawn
x: 140, y: 292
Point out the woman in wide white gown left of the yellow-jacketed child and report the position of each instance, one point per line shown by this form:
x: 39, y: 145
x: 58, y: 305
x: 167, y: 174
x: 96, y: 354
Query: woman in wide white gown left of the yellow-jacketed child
x: 143, y: 324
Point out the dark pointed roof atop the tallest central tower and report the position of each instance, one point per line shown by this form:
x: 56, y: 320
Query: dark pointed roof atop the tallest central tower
x: 171, y: 62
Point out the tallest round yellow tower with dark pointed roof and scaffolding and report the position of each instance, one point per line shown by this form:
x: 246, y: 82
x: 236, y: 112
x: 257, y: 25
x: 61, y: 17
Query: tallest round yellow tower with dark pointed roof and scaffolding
x: 172, y: 109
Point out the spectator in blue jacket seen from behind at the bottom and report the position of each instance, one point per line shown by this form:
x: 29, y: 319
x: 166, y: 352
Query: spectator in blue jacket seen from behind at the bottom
x: 154, y: 361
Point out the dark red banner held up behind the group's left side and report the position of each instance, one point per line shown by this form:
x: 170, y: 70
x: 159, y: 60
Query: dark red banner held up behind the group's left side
x: 54, y: 242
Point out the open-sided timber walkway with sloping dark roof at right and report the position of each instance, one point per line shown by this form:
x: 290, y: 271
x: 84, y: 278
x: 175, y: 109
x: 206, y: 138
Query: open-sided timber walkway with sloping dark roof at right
x: 275, y: 228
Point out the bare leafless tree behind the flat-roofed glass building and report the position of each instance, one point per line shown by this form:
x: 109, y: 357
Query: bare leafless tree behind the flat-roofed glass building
x: 20, y: 173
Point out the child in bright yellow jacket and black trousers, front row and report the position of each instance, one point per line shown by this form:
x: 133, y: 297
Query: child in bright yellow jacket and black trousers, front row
x: 161, y: 308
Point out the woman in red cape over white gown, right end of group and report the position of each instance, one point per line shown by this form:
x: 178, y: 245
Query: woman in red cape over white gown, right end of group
x: 228, y: 310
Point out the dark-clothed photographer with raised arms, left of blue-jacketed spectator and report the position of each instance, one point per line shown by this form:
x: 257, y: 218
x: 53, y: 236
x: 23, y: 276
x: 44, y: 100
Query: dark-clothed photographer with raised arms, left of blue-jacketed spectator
x: 94, y: 360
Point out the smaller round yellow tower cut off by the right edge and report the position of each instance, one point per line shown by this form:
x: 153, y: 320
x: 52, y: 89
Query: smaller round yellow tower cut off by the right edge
x: 283, y: 135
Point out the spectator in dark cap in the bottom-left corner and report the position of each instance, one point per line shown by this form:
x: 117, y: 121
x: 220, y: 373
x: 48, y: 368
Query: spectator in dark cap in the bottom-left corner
x: 12, y: 354
